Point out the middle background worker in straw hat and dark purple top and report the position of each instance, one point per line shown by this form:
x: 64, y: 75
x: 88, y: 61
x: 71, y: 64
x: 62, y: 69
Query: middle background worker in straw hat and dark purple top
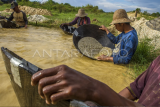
x: 80, y: 20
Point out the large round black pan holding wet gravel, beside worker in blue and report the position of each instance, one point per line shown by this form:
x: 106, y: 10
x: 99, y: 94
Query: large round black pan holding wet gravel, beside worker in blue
x: 90, y: 40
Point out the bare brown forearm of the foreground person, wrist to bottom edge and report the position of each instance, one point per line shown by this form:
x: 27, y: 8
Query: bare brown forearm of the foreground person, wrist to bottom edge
x: 105, y: 96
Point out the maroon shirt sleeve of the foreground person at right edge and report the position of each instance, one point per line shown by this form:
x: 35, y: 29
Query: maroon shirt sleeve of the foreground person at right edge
x: 146, y: 87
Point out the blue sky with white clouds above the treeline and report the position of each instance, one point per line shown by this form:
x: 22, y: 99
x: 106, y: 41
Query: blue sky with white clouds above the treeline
x: 112, y: 5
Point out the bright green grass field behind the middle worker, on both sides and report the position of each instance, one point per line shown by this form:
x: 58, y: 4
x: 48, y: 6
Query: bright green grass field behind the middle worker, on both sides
x: 59, y: 18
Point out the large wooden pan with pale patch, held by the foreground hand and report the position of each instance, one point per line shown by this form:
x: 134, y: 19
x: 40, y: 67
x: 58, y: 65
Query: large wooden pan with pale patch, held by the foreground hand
x: 20, y: 72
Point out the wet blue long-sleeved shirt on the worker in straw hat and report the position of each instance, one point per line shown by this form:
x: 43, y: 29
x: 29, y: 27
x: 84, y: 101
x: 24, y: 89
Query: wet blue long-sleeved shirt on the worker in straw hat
x: 126, y: 45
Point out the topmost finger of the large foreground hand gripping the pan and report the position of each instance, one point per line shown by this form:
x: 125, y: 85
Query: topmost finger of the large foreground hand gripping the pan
x: 44, y: 73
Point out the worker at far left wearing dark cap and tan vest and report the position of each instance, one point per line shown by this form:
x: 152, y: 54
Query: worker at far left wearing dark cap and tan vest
x: 19, y: 16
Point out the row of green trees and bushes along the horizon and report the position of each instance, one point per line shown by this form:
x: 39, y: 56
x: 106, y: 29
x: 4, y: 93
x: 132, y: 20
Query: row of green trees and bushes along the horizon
x: 61, y: 8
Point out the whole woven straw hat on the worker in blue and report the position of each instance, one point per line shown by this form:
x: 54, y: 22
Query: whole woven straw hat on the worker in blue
x: 120, y: 16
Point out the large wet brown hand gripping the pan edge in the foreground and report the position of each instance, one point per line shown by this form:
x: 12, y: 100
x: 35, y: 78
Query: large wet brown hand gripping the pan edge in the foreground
x: 63, y: 83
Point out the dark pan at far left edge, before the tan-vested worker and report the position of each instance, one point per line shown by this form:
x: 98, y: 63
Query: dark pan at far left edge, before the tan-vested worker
x: 7, y: 24
